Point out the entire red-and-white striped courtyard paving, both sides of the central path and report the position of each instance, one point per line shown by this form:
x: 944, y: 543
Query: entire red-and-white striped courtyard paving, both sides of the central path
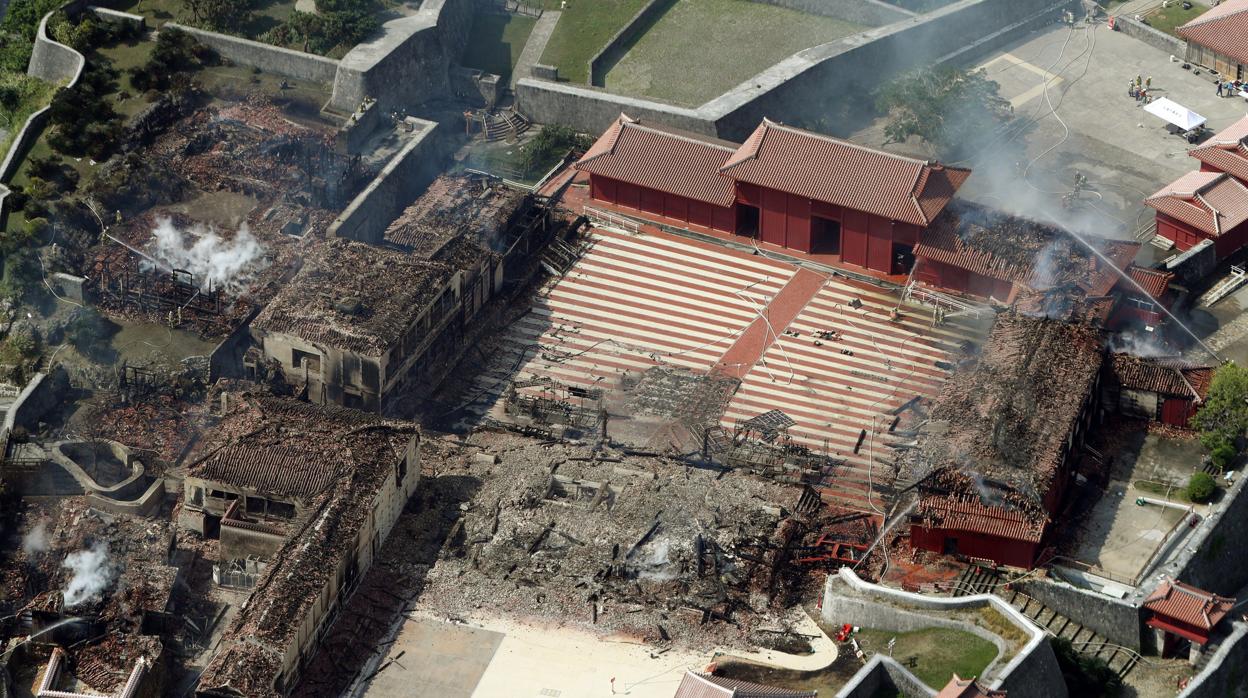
x: 643, y: 300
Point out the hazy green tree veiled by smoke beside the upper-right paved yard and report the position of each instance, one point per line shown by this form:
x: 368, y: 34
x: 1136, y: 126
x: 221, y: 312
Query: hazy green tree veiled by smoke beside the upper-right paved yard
x: 948, y: 108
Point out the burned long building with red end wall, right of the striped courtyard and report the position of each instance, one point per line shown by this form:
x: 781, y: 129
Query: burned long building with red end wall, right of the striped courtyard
x: 995, y: 463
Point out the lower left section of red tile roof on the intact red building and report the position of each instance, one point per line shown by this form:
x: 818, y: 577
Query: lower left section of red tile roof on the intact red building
x: 662, y: 159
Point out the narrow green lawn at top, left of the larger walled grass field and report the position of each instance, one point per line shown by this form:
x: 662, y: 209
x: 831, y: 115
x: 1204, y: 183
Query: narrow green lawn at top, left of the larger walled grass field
x: 585, y: 28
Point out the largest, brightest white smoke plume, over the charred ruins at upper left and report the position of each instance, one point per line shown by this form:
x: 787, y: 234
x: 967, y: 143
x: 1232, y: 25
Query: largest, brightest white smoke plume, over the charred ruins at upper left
x: 215, y: 262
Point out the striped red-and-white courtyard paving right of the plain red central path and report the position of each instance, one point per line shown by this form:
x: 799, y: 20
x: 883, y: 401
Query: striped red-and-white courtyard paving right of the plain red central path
x: 834, y: 396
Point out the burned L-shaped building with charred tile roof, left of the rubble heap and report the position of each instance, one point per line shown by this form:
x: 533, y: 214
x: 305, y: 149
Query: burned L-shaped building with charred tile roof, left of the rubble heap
x: 303, y: 499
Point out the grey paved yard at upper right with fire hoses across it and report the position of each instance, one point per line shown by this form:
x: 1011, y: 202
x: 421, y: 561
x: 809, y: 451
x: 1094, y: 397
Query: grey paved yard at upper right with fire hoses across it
x: 1085, y: 124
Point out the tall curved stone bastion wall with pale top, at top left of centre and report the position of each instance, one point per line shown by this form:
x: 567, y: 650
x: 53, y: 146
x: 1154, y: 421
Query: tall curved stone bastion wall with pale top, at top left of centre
x: 409, y: 63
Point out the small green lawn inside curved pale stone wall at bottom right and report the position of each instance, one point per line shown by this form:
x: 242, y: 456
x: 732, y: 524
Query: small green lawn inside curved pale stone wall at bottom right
x: 934, y: 655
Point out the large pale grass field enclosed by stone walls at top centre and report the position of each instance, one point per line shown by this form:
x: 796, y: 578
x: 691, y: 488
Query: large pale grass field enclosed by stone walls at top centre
x: 701, y: 49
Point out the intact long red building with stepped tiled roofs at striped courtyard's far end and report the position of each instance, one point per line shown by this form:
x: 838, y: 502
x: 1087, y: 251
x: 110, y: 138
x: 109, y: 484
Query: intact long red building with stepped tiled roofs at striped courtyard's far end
x: 786, y: 187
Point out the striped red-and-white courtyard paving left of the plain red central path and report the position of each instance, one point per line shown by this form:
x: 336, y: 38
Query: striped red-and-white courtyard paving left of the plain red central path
x: 640, y: 302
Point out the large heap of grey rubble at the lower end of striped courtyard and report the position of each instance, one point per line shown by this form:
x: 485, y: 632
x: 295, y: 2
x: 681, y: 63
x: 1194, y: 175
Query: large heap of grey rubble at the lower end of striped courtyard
x: 640, y: 546
